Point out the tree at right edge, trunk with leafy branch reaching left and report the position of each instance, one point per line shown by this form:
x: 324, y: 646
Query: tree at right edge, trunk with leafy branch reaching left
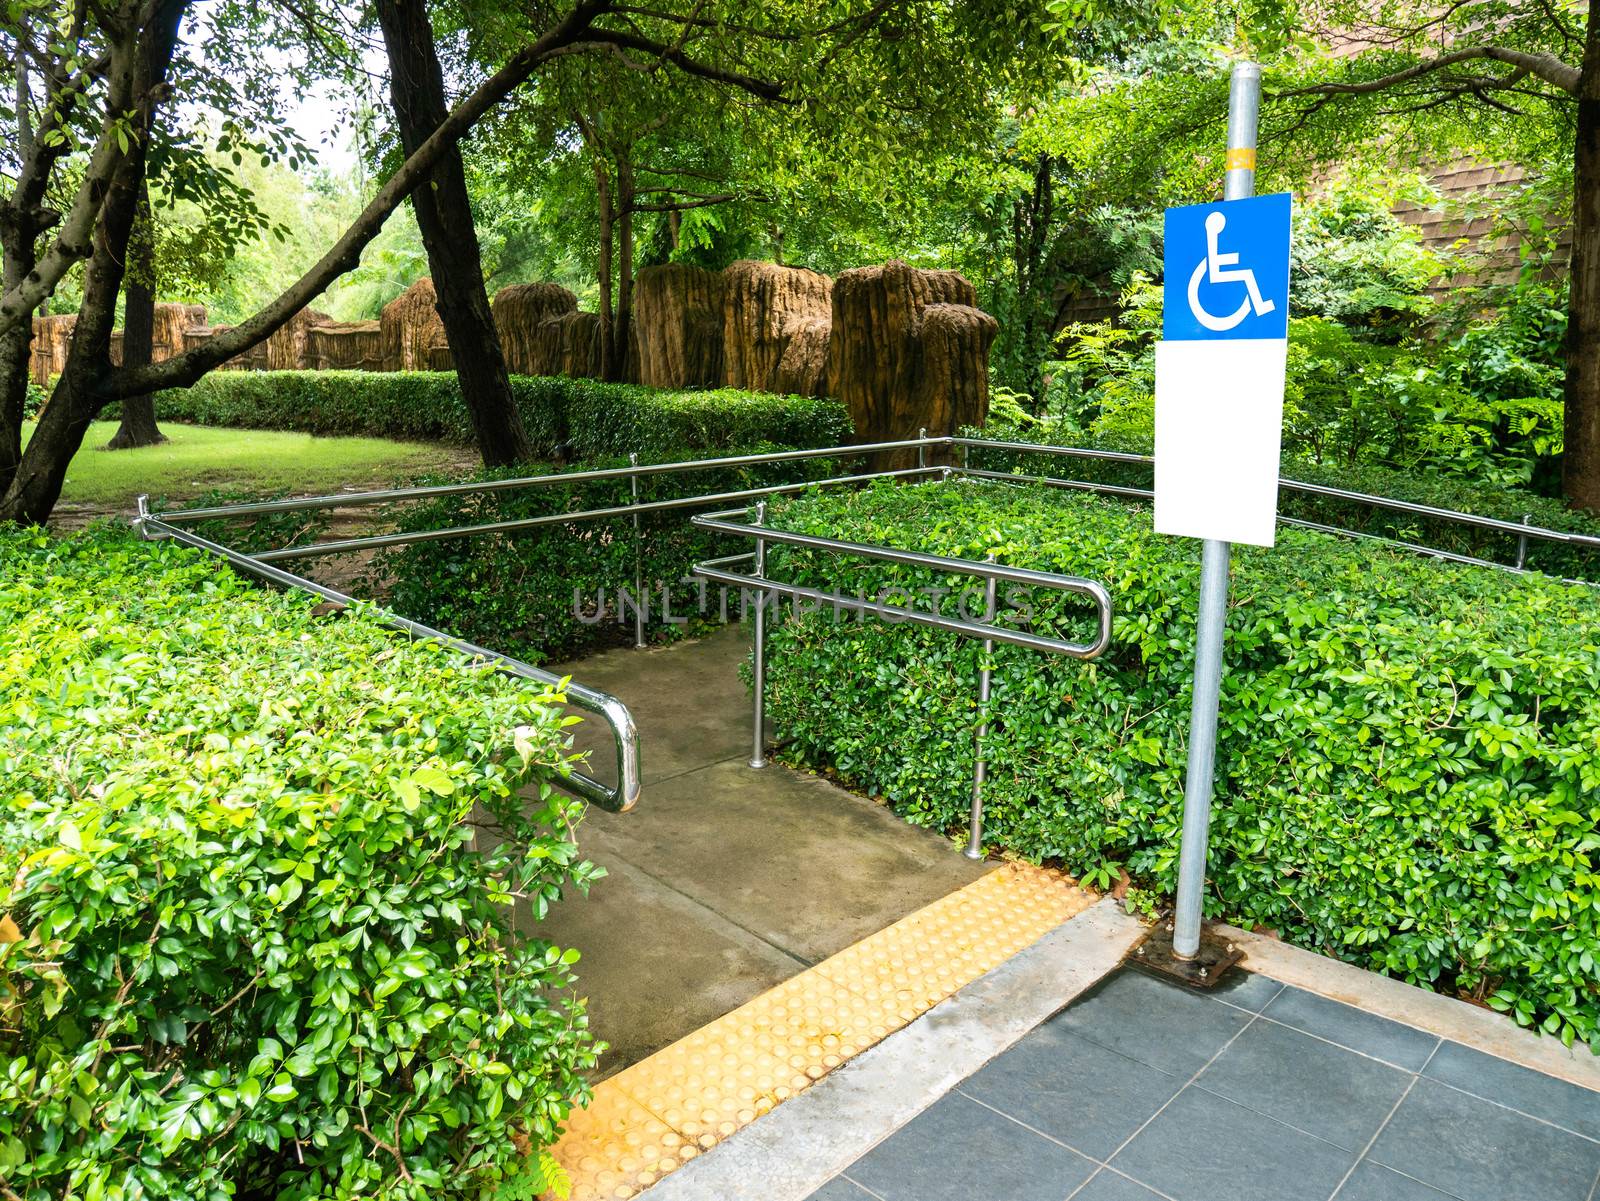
x: 1522, y: 71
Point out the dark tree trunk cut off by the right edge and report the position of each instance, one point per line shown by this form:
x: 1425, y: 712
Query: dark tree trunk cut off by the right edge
x: 1582, y: 458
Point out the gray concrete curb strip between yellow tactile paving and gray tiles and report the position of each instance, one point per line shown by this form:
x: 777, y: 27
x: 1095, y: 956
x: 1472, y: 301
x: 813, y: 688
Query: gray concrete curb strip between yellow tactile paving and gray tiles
x: 806, y: 1143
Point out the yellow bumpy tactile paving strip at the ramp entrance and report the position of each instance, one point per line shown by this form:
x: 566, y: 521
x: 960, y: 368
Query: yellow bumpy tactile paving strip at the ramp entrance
x: 665, y: 1111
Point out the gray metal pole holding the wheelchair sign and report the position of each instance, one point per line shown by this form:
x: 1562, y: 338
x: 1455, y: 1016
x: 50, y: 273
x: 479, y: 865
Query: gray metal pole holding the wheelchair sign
x: 1244, y: 110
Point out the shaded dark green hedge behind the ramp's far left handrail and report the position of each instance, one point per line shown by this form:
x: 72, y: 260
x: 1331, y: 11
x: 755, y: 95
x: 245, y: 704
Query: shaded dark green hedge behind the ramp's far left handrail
x: 556, y: 591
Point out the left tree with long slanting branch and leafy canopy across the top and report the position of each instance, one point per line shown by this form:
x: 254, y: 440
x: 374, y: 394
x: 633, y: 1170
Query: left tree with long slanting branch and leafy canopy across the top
x: 855, y: 70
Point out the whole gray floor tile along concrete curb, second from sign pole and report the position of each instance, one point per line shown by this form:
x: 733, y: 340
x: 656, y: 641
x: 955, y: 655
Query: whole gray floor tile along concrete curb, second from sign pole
x: 1073, y: 1090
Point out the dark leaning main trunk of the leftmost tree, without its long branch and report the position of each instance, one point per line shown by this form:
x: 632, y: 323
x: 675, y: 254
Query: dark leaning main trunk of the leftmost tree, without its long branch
x: 36, y: 485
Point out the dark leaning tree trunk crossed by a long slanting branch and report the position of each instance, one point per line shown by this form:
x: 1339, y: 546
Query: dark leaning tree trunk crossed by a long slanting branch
x: 444, y: 213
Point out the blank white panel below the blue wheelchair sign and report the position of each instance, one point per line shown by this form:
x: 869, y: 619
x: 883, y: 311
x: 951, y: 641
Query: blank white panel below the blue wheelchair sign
x: 1218, y: 426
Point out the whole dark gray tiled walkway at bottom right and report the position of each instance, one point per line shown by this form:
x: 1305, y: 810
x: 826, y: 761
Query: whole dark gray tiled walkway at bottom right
x: 1143, y: 1090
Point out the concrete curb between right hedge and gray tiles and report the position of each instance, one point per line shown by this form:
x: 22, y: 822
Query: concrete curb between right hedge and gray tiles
x: 1434, y: 1013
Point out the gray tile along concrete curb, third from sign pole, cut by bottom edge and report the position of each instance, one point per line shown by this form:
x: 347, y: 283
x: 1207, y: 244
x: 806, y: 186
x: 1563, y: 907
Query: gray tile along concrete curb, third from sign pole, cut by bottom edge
x: 958, y: 1151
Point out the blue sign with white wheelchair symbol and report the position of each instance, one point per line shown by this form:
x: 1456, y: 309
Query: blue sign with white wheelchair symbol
x: 1228, y: 271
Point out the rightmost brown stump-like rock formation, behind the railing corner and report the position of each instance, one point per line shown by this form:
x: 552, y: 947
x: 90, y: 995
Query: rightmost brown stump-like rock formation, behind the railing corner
x: 894, y: 369
